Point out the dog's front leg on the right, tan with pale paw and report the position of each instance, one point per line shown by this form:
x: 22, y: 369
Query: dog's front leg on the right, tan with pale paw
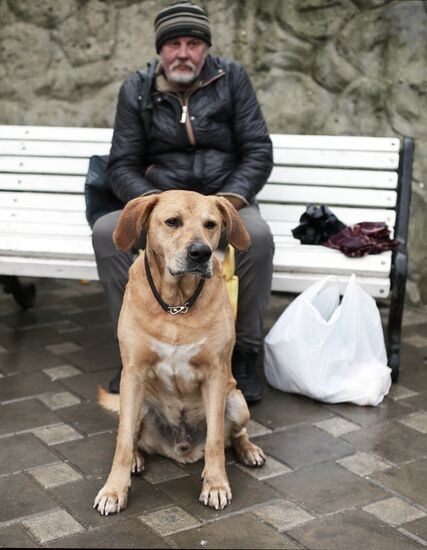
x: 216, y: 490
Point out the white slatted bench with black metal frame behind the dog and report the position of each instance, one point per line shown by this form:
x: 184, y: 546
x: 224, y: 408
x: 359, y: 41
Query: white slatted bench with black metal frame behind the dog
x: 44, y: 232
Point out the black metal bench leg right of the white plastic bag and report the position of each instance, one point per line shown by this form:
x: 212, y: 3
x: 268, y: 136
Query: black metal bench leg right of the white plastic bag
x: 398, y: 285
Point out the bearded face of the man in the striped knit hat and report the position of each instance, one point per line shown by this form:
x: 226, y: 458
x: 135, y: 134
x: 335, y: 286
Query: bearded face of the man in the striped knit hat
x: 183, y: 58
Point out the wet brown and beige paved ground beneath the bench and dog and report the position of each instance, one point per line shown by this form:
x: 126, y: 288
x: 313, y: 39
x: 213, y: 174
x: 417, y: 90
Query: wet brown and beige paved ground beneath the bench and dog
x: 337, y: 476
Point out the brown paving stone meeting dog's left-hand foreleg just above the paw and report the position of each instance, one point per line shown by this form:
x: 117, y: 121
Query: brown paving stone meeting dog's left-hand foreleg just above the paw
x: 92, y: 455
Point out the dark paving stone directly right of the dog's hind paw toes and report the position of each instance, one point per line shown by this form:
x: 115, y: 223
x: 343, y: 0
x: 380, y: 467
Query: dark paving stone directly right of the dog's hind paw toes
x: 303, y: 445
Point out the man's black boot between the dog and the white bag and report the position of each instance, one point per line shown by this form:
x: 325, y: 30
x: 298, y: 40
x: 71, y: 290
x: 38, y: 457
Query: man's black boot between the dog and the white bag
x: 243, y: 366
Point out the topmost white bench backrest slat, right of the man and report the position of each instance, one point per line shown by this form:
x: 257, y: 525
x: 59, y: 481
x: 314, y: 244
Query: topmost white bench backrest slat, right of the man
x: 349, y: 143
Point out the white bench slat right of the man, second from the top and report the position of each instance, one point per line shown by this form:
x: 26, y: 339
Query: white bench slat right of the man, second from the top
x: 338, y: 159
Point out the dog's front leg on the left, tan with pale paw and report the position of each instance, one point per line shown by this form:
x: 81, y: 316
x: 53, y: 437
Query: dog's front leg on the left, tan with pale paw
x: 113, y: 496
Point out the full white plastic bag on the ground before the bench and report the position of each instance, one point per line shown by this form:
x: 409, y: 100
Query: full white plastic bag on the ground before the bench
x: 330, y: 352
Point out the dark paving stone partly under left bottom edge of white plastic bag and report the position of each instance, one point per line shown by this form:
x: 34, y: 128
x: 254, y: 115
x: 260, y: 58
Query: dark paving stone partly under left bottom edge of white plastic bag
x: 278, y: 409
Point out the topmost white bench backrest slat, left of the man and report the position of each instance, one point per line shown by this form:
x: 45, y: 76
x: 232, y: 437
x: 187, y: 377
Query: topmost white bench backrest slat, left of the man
x: 56, y: 133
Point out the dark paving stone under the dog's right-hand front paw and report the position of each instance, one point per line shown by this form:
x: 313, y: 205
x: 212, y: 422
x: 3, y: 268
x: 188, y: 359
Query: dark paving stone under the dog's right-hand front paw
x: 246, y: 491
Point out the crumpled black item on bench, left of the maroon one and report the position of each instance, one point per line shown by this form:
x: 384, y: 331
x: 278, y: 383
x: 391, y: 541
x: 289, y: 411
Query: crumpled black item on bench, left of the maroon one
x: 317, y: 225
